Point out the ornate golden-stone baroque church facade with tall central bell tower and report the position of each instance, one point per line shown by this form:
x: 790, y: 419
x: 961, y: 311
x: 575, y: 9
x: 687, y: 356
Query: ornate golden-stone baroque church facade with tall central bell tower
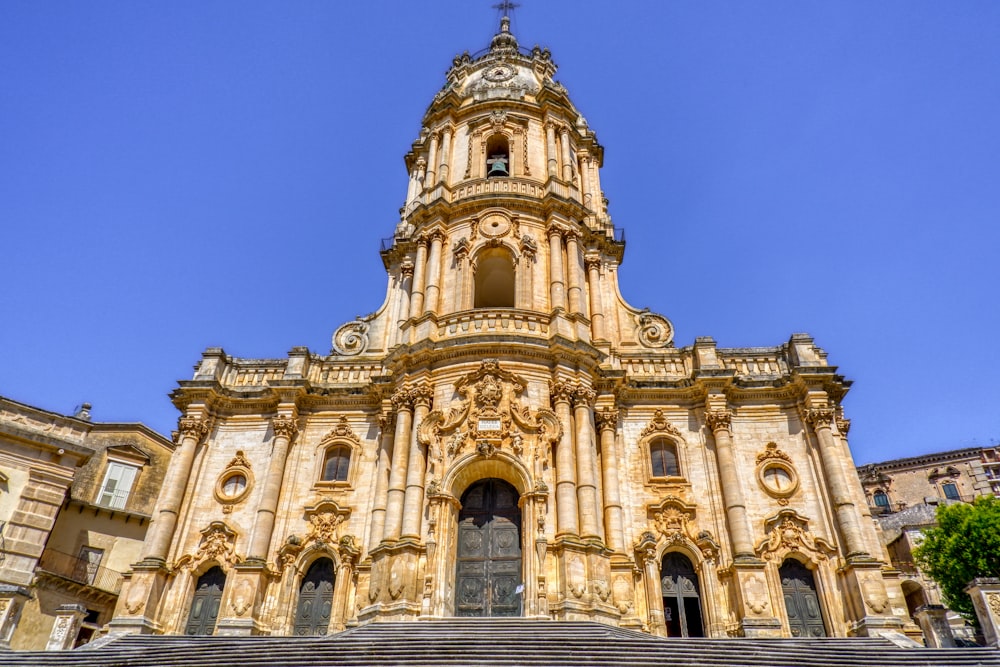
x: 507, y: 436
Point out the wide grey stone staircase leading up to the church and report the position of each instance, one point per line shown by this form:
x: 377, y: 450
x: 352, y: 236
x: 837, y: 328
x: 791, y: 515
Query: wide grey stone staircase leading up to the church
x: 494, y: 641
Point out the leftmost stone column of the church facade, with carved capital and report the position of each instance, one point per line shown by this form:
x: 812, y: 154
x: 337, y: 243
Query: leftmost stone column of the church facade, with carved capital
x: 161, y: 532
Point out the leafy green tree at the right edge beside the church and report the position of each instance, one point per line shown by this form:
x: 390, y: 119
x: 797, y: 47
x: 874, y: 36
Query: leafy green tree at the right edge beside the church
x: 964, y: 545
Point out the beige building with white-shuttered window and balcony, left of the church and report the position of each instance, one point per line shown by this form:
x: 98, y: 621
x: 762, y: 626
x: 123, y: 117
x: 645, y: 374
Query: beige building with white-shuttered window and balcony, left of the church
x: 75, y: 498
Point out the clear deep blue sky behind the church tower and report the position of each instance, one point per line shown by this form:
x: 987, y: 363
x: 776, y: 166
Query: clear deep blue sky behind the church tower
x: 178, y: 175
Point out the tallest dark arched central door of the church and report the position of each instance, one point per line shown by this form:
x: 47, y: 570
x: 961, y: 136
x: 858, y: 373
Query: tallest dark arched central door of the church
x: 488, y: 567
